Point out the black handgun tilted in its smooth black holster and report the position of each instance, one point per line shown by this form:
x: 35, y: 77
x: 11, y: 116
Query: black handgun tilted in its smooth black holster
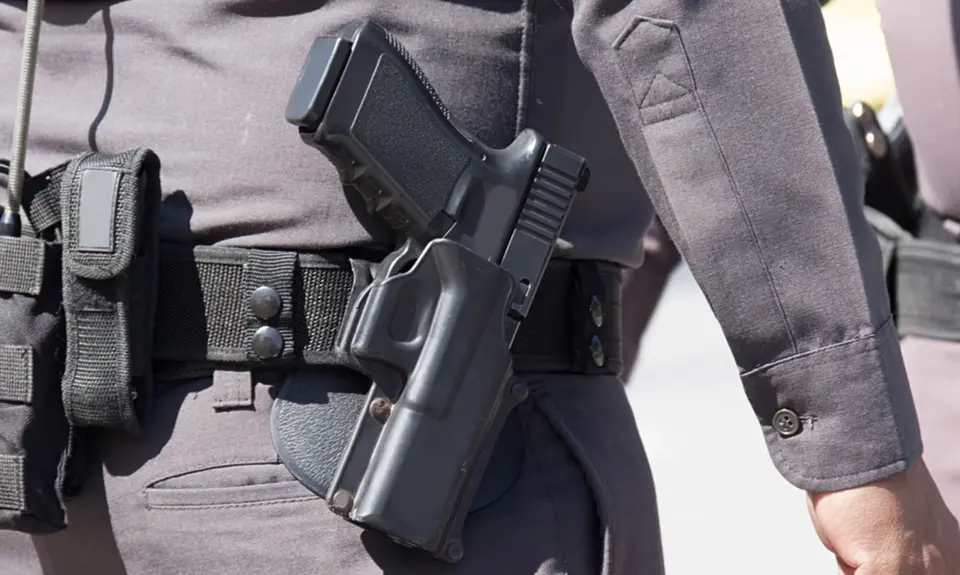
x: 433, y: 330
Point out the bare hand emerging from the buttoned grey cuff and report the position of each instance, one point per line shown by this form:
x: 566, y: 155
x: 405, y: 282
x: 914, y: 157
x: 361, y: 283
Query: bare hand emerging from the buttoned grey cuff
x: 898, y: 526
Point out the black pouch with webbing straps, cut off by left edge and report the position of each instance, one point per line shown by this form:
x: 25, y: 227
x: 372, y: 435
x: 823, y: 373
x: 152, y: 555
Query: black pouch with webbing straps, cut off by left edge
x: 35, y: 437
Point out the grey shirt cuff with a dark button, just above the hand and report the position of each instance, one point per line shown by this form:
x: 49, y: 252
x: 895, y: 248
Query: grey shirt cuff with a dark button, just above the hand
x: 838, y: 417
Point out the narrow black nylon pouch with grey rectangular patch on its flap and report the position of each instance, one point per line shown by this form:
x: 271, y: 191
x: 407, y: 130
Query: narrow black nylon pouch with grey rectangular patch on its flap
x: 110, y: 207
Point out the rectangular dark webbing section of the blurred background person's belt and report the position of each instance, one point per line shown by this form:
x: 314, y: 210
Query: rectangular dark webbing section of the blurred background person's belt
x: 928, y: 289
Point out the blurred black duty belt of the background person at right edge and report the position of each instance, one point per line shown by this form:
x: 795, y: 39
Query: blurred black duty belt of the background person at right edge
x: 923, y: 279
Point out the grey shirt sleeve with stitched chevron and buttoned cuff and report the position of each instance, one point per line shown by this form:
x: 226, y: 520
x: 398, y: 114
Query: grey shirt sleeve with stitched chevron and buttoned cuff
x: 731, y: 113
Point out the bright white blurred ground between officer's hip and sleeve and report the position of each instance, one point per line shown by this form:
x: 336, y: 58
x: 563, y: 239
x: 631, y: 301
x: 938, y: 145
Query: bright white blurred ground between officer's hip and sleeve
x: 724, y: 509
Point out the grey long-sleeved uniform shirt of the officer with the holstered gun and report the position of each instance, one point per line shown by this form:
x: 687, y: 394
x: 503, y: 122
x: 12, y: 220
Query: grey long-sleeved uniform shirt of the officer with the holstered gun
x: 729, y: 113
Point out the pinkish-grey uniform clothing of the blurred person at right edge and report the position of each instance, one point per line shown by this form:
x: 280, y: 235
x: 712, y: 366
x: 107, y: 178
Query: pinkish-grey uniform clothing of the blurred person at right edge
x: 921, y: 40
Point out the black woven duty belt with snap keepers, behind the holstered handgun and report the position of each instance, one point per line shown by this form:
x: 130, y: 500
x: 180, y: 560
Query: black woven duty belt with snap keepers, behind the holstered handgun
x: 275, y: 308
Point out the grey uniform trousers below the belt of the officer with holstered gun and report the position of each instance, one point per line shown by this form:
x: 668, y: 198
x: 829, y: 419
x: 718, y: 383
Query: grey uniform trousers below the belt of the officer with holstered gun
x: 204, y: 493
